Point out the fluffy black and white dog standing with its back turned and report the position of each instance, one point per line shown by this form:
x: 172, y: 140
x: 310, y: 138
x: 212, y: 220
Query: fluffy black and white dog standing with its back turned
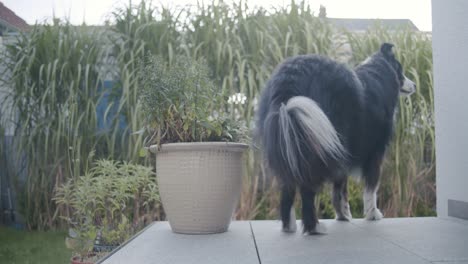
x: 318, y: 120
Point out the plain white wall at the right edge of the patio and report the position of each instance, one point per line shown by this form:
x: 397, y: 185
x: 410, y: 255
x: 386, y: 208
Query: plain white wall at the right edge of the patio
x: 450, y: 54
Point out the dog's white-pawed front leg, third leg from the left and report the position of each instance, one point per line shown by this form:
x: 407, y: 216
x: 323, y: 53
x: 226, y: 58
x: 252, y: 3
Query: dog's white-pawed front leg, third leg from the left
x: 340, y: 200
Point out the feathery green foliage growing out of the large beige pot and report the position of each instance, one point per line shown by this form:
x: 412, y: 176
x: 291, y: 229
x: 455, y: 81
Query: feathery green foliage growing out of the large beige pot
x: 182, y: 104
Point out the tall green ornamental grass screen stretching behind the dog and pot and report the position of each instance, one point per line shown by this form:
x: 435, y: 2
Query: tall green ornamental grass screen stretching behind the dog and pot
x: 56, y: 72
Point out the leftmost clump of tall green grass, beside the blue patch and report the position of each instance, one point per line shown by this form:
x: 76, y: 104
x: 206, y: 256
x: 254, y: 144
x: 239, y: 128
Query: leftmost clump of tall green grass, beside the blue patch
x: 53, y: 76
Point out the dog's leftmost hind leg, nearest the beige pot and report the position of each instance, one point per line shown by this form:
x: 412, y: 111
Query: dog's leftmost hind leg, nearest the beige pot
x: 288, y: 216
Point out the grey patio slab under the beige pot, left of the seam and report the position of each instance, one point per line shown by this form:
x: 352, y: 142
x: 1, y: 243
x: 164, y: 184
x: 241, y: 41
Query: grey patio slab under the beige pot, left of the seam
x: 158, y: 244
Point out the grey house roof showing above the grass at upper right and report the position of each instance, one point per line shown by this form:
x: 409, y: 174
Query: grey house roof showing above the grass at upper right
x: 363, y: 24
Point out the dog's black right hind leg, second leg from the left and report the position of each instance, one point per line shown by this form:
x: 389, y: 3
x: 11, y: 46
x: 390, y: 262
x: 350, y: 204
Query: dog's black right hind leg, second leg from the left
x: 309, y: 214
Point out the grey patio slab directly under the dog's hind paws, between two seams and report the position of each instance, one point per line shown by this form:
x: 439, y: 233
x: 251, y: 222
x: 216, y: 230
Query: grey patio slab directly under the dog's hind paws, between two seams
x: 343, y: 243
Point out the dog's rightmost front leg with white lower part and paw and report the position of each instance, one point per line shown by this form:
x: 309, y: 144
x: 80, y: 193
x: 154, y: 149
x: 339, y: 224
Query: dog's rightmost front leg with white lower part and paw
x: 371, y: 176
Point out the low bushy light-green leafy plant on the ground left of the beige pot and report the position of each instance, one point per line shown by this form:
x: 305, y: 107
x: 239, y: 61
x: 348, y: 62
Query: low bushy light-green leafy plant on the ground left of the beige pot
x: 103, y: 202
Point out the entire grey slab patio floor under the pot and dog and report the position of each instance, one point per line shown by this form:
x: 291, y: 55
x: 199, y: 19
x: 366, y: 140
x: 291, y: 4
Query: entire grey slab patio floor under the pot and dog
x: 391, y: 240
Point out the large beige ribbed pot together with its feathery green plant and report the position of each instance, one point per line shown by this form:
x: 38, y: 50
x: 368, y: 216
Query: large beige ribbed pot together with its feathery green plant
x: 197, y: 144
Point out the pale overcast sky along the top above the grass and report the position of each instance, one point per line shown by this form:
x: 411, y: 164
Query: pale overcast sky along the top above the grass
x: 94, y: 12
